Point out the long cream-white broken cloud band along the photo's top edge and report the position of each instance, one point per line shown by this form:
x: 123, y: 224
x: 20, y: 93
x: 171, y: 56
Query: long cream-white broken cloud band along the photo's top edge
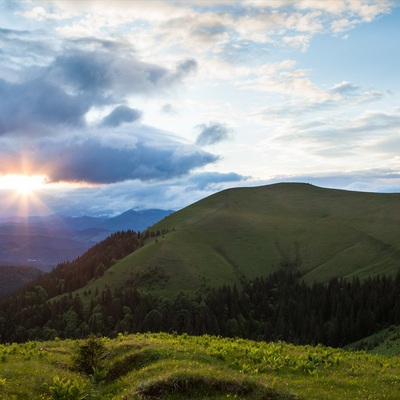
x: 212, y: 25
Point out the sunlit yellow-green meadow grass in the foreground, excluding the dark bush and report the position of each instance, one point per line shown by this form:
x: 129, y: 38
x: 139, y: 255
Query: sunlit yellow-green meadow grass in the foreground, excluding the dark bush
x: 163, y: 366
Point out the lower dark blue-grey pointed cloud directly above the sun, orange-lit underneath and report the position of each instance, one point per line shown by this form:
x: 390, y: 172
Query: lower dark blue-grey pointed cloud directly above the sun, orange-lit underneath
x: 147, y: 155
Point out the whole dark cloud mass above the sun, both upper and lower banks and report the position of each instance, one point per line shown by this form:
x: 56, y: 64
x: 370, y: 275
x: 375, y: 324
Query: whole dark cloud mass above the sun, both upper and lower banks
x: 44, y: 109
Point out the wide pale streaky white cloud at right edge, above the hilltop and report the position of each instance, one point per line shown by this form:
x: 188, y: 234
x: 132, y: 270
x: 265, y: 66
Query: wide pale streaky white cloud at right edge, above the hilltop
x: 373, y: 136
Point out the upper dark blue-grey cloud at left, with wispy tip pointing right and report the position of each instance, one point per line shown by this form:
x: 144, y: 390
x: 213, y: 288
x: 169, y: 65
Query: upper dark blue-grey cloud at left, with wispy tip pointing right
x: 89, y: 74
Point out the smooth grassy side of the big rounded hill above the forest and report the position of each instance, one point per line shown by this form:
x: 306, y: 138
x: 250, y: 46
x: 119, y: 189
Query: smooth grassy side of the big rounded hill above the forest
x: 250, y: 231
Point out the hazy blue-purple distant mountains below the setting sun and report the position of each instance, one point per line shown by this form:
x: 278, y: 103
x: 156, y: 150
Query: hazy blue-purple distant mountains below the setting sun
x: 44, y: 242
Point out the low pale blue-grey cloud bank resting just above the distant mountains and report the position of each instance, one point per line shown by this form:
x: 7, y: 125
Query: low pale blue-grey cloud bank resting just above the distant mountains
x: 121, y: 196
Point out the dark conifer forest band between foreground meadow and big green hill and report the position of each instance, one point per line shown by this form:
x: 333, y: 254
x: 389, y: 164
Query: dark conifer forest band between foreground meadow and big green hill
x: 278, y: 307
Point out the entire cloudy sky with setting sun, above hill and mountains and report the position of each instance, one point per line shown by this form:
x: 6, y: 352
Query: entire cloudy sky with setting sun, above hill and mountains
x: 111, y: 105
